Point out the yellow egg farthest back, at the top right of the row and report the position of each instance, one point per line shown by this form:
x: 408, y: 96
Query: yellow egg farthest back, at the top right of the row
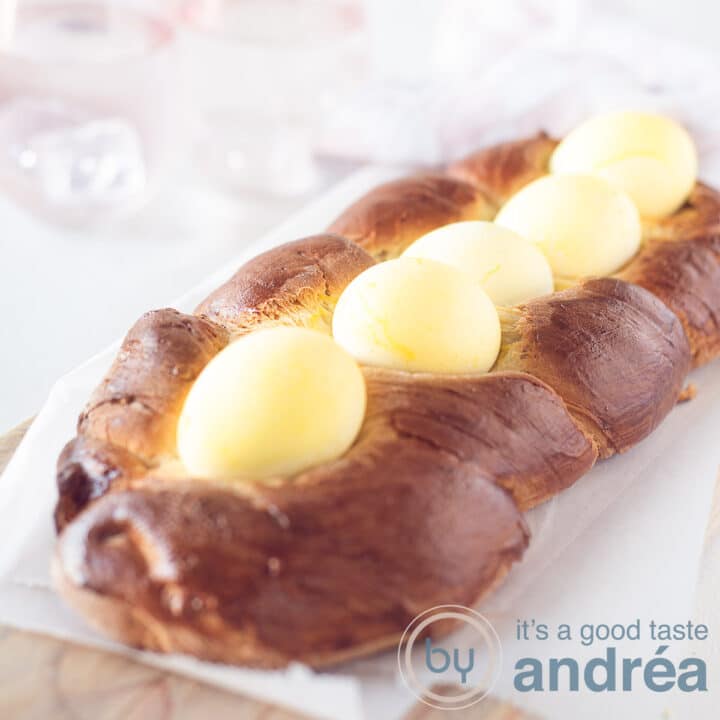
x: 650, y: 157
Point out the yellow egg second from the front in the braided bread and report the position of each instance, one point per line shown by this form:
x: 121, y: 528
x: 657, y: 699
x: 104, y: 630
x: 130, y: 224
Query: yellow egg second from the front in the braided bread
x: 418, y: 315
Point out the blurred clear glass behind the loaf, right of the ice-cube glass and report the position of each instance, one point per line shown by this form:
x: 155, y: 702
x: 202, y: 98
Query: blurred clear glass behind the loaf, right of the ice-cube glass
x: 262, y: 74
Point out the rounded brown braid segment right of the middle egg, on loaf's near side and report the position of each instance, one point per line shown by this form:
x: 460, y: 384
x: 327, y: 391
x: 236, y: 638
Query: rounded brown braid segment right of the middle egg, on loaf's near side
x: 616, y: 355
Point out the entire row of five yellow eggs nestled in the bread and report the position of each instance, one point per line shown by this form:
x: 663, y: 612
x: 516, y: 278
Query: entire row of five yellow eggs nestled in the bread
x: 253, y: 414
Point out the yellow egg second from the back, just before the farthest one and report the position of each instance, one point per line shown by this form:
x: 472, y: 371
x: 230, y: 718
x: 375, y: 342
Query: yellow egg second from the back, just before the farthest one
x: 583, y: 225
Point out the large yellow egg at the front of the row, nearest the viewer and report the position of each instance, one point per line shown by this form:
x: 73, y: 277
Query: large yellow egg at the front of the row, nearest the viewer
x: 275, y: 402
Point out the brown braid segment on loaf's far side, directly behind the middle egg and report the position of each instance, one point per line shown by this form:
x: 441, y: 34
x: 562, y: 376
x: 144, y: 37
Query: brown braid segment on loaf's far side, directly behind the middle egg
x: 391, y: 217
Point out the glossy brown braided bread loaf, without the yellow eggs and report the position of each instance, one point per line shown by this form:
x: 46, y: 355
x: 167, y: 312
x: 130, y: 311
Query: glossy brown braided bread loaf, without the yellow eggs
x: 426, y: 506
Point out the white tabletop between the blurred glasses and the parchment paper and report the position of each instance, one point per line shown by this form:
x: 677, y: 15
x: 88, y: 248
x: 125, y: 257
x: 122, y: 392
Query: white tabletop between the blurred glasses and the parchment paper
x: 66, y: 294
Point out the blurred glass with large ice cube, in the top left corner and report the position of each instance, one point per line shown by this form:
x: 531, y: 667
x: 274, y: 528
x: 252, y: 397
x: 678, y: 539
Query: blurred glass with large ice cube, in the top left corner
x: 87, y: 118
